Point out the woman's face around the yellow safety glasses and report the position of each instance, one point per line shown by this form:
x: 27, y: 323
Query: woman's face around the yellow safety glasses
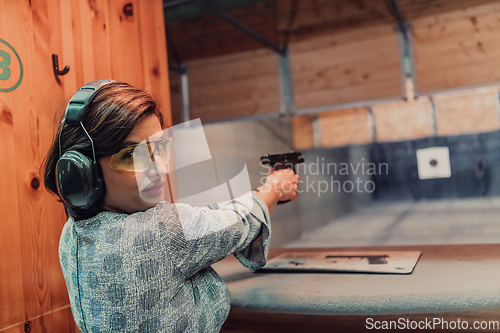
x: 122, y: 187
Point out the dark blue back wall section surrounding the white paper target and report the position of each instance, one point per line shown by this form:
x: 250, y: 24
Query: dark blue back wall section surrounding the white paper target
x: 475, y: 168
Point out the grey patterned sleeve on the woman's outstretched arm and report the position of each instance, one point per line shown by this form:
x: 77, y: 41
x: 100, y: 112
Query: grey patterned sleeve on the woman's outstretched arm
x: 199, y: 237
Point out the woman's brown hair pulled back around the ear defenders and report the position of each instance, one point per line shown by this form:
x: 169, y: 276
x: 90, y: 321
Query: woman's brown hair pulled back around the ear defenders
x: 110, y: 117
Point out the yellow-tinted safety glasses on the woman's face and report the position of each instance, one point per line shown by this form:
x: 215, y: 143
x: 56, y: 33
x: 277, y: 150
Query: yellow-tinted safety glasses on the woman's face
x: 139, y: 157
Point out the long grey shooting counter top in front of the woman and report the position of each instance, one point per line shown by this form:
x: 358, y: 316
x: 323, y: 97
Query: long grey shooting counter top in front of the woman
x: 447, y: 280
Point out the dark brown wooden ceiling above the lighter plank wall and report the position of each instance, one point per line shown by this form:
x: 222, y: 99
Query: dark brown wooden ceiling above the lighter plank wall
x: 288, y: 21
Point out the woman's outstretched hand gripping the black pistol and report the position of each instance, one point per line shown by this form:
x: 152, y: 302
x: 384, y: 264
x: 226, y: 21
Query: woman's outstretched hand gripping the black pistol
x: 280, y: 185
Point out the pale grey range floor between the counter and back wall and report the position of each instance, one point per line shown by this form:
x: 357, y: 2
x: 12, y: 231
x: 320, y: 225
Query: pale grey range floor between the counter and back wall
x: 451, y: 221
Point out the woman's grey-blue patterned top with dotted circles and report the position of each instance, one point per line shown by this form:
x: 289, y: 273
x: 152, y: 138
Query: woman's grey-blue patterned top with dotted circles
x: 150, y: 271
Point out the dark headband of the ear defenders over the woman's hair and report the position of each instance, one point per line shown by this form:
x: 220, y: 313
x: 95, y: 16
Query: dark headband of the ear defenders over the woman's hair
x: 77, y: 106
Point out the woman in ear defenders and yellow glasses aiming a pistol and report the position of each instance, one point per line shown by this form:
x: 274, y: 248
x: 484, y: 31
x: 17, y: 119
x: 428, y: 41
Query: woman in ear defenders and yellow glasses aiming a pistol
x: 126, y: 260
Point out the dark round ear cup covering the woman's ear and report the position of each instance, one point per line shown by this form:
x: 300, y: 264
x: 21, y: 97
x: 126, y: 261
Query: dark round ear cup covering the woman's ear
x: 76, y: 180
